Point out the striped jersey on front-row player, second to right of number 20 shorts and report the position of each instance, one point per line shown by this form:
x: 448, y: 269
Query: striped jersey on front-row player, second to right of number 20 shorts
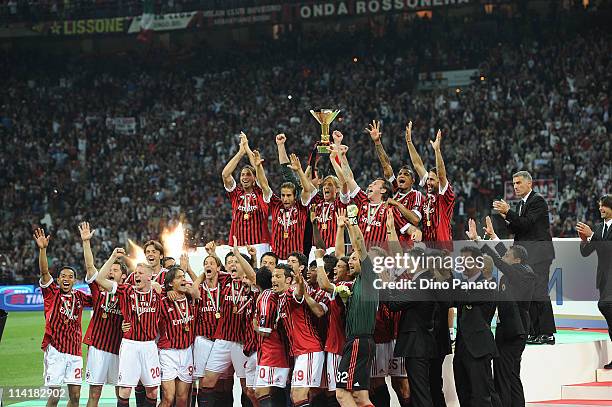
x: 209, y: 307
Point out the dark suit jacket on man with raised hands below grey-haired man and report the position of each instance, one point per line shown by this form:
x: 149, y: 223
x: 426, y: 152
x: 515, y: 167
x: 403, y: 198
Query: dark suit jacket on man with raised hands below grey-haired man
x: 516, y: 289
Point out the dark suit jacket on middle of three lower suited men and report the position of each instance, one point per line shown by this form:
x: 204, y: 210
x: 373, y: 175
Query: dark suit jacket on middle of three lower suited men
x: 474, y: 314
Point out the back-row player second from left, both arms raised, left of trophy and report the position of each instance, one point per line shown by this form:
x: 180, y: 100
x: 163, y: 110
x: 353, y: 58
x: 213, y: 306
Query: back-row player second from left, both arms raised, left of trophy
x: 288, y: 214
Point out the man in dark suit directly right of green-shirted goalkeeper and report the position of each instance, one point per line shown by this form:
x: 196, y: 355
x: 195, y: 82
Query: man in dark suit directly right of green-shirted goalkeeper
x: 416, y: 342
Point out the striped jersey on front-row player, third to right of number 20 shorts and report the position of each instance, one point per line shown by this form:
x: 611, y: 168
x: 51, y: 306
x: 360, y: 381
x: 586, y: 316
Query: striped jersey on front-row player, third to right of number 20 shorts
x: 234, y: 300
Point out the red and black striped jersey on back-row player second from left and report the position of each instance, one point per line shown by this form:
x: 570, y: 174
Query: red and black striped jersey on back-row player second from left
x: 288, y: 226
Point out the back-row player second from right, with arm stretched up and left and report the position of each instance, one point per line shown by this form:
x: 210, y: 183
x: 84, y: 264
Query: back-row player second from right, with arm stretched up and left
x: 406, y: 199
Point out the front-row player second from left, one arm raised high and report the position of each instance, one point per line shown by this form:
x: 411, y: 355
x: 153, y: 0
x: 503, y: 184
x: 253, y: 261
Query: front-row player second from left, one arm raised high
x: 104, y: 331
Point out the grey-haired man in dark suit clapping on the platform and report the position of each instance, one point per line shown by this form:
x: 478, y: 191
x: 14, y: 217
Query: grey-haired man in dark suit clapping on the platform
x: 531, y: 228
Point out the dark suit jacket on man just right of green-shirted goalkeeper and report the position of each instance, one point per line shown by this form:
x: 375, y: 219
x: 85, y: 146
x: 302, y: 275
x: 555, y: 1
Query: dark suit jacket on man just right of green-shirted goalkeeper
x: 415, y: 338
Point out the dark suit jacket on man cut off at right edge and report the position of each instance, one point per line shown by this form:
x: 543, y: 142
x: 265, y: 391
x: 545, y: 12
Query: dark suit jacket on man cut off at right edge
x: 603, y: 247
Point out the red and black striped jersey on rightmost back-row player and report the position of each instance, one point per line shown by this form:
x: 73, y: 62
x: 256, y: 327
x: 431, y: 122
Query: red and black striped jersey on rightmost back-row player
x: 437, y: 214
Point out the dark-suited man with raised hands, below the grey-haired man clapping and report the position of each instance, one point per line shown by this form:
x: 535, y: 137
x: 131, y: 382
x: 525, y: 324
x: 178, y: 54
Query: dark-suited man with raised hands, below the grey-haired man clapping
x: 516, y: 288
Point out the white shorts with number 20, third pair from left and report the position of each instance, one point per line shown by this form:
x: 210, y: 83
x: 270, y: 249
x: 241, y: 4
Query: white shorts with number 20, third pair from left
x: 138, y: 361
